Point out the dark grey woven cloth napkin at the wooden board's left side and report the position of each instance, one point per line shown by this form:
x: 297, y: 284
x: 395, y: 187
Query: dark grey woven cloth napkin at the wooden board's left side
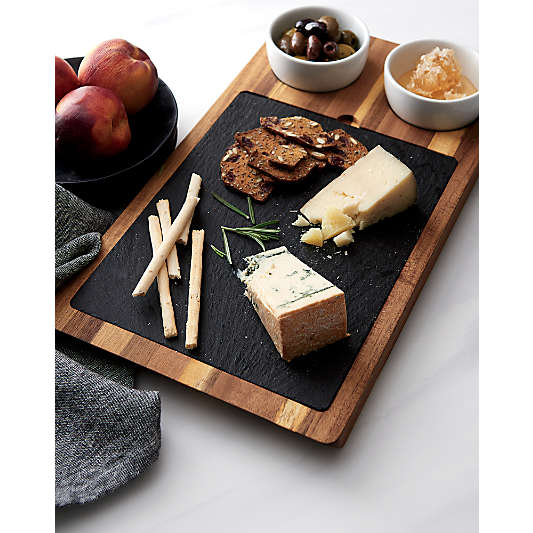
x: 106, y: 432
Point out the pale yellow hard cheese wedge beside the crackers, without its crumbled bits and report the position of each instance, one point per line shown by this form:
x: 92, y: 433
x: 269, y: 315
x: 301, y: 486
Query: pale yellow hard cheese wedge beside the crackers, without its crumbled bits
x: 377, y: 186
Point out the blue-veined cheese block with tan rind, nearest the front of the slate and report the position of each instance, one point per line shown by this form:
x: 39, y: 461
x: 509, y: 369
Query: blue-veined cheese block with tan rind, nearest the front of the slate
x: 301, y: 310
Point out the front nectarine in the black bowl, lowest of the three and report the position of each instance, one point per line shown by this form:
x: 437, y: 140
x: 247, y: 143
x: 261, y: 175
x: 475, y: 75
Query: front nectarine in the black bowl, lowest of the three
x: 91, y: 122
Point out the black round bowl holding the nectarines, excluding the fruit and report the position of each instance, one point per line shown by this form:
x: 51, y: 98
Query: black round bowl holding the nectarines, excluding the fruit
x: 113, y: 181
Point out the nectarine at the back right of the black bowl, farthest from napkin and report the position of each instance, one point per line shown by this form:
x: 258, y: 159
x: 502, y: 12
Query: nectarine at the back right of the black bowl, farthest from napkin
x: 123, y: 68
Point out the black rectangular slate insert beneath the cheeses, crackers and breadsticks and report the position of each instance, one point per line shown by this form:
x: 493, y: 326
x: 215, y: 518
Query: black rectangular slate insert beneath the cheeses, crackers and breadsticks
x: 232, y: 337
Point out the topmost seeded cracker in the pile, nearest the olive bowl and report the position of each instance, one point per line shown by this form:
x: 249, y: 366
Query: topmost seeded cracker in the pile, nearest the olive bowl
x: 299, y: 129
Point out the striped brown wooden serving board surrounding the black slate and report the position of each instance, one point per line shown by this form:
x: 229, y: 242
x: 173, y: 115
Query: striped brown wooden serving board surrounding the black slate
x: 361, y: 104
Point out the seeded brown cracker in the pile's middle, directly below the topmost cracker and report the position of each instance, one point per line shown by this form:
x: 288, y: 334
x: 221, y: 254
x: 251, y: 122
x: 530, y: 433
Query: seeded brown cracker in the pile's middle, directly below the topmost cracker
x: 271, y: 147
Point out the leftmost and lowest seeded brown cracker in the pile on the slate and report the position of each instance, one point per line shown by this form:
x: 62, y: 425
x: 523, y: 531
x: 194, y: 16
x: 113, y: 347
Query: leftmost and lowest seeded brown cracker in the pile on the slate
x: 236, y: 174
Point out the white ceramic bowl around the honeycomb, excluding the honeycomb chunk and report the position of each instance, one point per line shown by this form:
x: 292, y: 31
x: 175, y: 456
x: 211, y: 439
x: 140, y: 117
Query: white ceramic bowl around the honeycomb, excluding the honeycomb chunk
x: 427, y: 112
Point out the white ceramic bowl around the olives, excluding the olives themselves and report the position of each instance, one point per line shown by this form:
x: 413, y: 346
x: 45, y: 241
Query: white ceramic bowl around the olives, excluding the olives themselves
x: 316, y: 76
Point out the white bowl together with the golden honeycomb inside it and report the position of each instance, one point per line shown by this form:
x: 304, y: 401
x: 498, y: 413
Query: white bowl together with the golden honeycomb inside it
x: 437, y: 84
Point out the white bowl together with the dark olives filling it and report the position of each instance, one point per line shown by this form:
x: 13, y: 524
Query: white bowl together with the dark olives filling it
x: 317, y: 49
